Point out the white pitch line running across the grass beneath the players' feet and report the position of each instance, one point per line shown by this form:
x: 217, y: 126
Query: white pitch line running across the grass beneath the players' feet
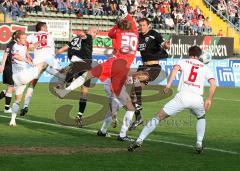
x: 94, y: 131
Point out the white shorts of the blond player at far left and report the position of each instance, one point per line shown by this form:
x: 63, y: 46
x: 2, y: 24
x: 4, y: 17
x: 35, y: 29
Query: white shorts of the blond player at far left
x: 21, y: 79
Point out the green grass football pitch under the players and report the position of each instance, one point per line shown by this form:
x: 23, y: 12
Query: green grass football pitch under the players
x: 41, y: 142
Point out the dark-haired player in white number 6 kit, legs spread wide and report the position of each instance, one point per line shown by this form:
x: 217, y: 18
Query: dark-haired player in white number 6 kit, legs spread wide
x: 189, y: 96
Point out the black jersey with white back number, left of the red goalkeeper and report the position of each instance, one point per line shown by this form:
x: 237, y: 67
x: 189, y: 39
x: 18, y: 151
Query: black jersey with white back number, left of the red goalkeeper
x: 81, y: 48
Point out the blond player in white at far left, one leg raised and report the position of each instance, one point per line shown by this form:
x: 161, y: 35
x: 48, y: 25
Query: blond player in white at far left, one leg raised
x: 23, y: 70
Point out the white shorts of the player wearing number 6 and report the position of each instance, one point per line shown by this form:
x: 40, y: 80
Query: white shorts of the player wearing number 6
x: 185, y: 100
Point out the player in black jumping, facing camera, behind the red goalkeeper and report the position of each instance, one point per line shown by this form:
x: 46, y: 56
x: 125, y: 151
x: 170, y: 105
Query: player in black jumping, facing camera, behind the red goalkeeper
x: 152, y: 48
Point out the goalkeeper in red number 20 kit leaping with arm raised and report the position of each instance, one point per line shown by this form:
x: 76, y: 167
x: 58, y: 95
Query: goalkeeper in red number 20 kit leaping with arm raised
x: 125, y: 43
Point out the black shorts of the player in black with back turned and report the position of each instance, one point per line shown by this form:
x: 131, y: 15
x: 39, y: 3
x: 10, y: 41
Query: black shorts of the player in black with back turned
x: 76, y: 69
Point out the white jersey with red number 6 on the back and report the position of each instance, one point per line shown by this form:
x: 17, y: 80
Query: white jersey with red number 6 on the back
x: 194, y: 74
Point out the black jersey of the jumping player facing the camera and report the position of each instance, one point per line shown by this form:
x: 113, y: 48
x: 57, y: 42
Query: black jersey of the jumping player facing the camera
x: 150, y: 46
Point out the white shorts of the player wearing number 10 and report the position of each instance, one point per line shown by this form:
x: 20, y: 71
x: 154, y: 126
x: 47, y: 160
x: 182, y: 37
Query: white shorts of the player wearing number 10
x: 51, y: 61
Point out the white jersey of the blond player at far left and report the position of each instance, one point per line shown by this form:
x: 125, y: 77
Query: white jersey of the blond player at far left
x: 17, y: 65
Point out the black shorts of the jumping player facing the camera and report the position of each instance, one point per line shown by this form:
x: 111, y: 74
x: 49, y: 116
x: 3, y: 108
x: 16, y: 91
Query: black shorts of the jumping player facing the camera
x: 152, y: 71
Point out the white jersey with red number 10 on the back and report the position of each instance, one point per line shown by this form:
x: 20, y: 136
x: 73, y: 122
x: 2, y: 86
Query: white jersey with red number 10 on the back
x: 47, y: 47
